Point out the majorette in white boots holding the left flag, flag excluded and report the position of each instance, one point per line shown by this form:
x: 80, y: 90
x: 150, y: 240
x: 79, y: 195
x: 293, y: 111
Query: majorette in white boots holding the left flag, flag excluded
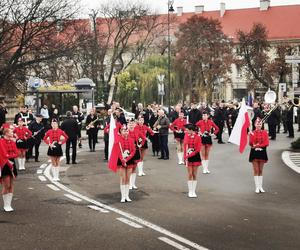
x: 125, y: 162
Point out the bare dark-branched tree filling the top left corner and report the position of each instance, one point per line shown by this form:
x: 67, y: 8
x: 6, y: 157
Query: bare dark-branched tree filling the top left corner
x: 30, y: 34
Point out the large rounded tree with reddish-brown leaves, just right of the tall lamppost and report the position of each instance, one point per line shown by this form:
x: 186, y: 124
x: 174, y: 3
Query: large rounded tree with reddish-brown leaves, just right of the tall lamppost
x: 204, y: 56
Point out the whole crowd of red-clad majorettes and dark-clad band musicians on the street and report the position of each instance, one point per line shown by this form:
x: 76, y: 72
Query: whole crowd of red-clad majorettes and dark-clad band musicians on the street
x: 194, y: 127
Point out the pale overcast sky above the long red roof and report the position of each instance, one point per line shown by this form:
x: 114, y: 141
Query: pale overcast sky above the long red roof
x: 188, y: 5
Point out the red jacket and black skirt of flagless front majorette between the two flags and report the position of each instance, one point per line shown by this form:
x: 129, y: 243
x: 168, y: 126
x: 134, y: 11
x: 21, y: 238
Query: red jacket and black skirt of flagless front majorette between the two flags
x: 192, y: 147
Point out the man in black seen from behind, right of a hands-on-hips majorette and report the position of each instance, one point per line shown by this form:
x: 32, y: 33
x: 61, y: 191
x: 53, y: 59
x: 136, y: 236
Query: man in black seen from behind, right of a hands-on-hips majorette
x: 70, y: 126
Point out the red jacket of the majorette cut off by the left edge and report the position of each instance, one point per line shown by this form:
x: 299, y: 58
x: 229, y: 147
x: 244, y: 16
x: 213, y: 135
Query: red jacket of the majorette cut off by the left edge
x: 8, y: 150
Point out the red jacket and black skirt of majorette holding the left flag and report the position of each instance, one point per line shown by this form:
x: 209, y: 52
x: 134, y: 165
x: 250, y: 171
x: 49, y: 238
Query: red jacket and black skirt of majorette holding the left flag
x: 127, y: 151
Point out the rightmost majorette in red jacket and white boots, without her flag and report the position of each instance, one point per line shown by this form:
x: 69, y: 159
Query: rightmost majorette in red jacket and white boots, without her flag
x: 259, y: 141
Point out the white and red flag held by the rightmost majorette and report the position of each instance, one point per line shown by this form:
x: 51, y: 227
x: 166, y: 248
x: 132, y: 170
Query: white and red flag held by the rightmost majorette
x: 239, y: 134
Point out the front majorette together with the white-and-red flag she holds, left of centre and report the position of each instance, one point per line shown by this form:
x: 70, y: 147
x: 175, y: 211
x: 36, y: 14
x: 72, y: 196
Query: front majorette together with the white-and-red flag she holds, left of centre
x: 121, y: 156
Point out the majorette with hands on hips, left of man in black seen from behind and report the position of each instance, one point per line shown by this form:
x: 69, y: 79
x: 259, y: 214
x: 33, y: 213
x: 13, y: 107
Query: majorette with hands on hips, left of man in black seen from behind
x: 53, y: 138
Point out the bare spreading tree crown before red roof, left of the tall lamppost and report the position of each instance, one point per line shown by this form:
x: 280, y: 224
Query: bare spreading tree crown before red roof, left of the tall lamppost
x: 121, y: 34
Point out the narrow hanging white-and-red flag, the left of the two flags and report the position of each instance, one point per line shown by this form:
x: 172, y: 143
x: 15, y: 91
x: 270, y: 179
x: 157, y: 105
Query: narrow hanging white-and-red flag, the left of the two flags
x: 113, y: 146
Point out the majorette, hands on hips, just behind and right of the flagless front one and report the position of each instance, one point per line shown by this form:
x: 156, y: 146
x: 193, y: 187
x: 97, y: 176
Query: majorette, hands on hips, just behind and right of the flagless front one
x: 206, y: 126
